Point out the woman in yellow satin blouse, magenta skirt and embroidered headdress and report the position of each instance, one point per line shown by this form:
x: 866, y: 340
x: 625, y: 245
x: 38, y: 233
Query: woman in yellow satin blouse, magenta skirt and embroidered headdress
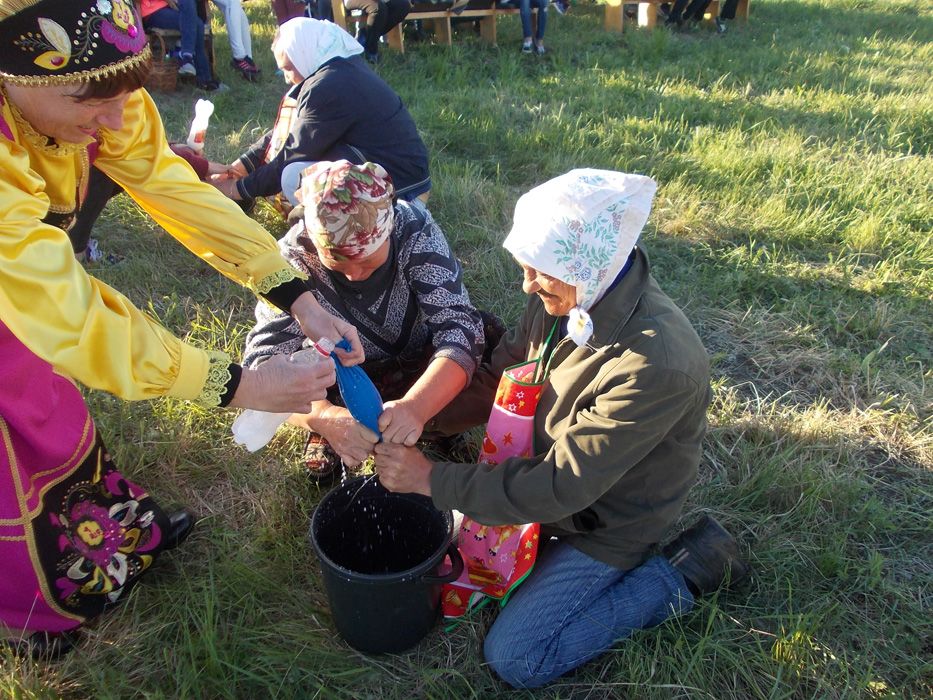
x: 75, y: 534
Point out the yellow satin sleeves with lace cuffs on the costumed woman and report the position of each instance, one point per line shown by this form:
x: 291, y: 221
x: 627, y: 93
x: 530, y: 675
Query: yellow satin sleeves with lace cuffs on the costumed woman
x: 88, y: 330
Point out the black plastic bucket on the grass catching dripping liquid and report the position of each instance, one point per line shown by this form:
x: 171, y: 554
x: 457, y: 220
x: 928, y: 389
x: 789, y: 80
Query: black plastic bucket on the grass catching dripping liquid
x: 380, y: 554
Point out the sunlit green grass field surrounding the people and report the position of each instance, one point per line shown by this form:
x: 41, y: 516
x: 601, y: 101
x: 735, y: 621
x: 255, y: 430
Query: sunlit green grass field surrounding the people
x: 792, y: 223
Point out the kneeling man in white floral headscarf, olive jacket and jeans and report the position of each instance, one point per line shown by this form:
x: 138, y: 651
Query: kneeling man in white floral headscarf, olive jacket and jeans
x: 618, y: 431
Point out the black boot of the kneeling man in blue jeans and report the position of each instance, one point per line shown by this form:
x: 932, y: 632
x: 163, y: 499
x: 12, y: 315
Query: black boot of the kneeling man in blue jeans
x: 707, y: 556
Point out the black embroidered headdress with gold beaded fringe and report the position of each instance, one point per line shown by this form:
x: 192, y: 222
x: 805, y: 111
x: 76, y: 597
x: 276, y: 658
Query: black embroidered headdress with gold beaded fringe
x: 51, y: 42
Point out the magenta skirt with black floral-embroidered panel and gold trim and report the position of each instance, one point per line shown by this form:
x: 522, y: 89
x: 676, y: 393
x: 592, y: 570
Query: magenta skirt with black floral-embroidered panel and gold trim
x: 75, y: 534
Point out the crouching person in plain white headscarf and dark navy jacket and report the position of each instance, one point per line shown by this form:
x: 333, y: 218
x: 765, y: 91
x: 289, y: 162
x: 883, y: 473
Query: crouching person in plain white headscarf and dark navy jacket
x: 337, y: 108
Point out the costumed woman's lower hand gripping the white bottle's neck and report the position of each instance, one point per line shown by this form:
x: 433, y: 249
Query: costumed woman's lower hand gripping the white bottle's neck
x: 280, y: 385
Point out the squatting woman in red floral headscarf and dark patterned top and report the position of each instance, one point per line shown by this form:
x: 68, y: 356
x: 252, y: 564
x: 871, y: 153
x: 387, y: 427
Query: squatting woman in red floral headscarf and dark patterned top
x: 388, y: 270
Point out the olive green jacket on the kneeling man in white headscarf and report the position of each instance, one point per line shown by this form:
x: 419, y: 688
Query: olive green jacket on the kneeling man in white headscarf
x: 618, y: 430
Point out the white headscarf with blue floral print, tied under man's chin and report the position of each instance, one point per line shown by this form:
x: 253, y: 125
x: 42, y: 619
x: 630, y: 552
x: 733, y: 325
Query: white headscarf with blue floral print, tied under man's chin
x: 581, y: 228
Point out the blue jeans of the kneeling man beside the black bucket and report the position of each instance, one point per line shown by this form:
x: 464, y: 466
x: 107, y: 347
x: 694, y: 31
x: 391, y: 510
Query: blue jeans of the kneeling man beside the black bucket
x: 573, y: 608
